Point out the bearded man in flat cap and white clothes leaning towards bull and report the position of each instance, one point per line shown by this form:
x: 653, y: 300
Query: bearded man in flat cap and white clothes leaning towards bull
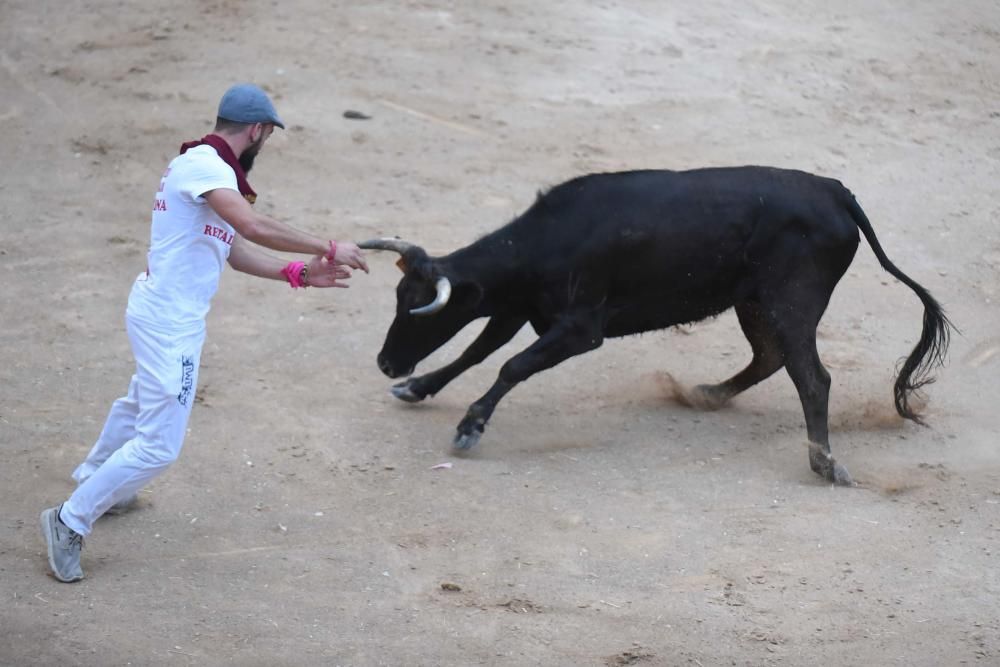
x: 202, y: 216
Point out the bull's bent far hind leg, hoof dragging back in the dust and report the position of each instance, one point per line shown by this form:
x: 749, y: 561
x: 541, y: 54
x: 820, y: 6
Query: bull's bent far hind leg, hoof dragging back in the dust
x: 767, y: 359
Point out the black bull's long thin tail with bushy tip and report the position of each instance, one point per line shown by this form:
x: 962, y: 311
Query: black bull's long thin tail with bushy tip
x: 932, y: 347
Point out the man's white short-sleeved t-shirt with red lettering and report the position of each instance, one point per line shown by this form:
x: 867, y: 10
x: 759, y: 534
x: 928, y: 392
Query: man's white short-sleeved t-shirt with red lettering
x: 189, y: 243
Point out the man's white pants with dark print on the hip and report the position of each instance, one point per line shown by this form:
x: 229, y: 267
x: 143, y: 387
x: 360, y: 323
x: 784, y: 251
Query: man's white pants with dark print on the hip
x: 145, y: 429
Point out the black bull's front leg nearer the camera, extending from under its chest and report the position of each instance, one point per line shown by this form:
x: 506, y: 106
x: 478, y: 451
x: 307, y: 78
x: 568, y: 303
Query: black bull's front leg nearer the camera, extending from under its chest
x: 566, y: 339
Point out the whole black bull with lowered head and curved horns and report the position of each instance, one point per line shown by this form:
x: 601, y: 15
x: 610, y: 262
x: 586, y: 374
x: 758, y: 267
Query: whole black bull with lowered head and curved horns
x: 609, y: 255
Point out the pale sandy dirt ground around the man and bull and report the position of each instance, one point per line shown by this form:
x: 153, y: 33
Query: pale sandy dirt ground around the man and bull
x: 597, y: 522
